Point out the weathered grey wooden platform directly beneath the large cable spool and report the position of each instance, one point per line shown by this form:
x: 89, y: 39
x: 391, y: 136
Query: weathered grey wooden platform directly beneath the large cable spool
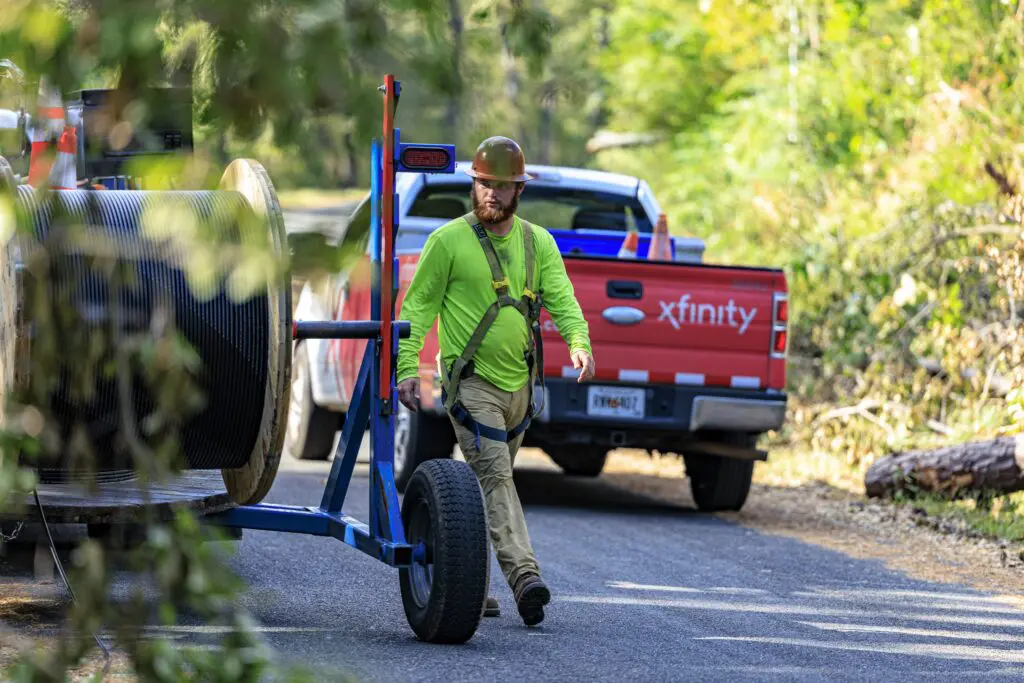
x: 202, y: 491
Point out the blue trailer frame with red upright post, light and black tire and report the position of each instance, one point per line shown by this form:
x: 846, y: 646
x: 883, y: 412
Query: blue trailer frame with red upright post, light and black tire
x: 438, y: 537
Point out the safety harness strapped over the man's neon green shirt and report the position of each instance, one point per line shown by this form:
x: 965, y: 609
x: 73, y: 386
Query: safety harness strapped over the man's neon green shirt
x: 530, y: 307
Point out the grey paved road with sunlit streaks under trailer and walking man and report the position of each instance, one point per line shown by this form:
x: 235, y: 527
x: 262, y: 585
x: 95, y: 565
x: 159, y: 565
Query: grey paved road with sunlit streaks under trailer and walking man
x: 644, y: 591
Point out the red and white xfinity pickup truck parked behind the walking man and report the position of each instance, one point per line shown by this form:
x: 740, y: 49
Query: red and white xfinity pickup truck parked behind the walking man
x: 691, y: 357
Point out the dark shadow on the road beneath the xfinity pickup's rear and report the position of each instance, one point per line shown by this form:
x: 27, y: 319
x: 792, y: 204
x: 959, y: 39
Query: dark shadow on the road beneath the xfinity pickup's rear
x: 548, y: 489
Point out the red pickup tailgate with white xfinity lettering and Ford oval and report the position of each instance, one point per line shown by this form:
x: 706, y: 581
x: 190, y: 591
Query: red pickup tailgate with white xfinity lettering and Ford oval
x: 668, y: 323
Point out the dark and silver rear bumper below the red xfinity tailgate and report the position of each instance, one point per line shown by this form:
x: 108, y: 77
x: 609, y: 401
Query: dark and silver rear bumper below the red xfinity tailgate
x: 670, y: 412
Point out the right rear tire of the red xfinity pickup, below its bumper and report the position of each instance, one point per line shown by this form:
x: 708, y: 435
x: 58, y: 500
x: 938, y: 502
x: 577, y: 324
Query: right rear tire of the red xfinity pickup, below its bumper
x: 721, y: 484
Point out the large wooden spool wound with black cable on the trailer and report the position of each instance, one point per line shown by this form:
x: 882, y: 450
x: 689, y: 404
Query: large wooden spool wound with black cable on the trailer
x: 245, y: 347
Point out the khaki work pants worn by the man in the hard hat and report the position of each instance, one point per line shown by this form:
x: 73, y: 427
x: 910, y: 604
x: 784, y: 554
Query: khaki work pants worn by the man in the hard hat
x: 493, y: 464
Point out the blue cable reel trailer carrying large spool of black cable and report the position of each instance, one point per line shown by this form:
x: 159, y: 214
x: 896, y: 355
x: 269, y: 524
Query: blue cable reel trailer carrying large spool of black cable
x: 437, y: 537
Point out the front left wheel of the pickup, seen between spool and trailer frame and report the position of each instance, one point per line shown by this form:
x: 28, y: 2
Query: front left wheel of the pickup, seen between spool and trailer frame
x: 311, y: 429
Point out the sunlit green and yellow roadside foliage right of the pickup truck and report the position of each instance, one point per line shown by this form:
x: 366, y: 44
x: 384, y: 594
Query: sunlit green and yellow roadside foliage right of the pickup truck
x: 848, y: 144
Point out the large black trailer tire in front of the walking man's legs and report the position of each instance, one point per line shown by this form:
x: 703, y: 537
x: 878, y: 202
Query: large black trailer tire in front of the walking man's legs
x: 444, y: 508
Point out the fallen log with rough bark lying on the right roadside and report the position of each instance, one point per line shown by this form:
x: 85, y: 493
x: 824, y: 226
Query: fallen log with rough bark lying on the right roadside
x: 995, y: 466
